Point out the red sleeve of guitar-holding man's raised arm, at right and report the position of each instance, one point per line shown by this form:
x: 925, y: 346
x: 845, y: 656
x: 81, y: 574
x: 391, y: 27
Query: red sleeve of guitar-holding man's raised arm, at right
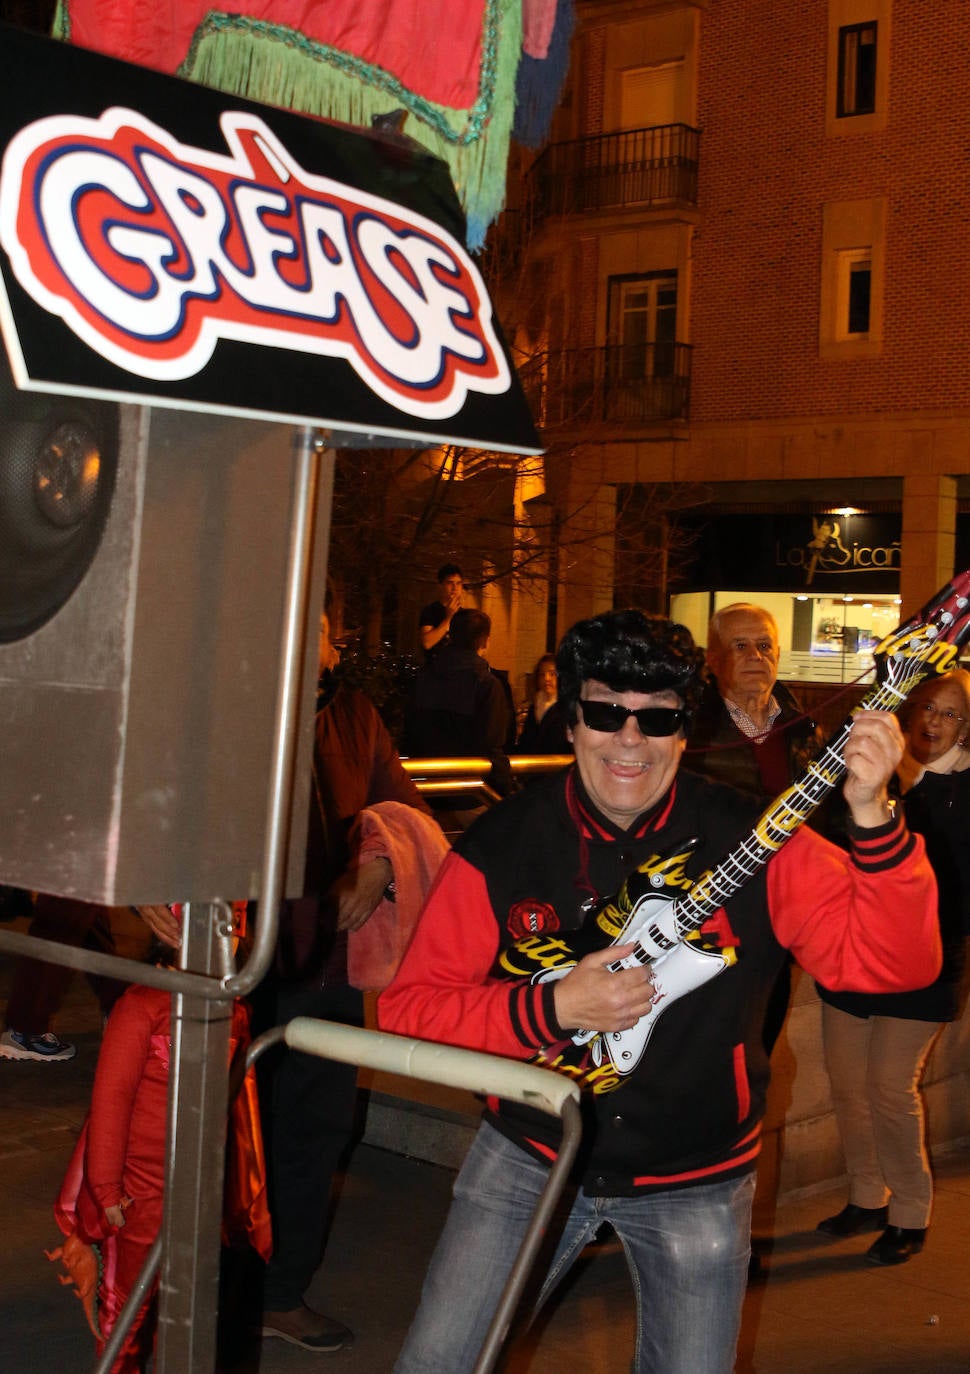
x: 864, y: 921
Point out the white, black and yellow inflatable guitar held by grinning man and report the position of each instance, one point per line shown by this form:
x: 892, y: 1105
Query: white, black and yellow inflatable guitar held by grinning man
x: 667, y: 931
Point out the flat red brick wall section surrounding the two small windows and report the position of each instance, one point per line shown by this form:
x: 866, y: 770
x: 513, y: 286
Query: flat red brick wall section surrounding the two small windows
x: 769, y: 171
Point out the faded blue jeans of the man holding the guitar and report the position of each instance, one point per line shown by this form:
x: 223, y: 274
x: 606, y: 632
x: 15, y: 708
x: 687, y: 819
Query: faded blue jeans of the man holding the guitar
x: 688, y: 1252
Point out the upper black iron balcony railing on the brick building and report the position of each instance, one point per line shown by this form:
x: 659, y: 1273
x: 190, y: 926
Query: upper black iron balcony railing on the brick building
x: 637, y: 167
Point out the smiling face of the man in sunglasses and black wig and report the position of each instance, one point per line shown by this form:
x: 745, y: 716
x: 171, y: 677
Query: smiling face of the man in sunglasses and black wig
x: 627, y: 773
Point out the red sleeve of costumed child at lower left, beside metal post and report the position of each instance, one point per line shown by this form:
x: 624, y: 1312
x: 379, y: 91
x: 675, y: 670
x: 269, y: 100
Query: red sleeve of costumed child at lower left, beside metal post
x: 120, y: 1070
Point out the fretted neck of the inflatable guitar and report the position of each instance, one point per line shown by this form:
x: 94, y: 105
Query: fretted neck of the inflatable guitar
x: 777, y: 825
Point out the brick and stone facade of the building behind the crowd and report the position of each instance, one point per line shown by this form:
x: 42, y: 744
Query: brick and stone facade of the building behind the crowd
x: 782, y: 188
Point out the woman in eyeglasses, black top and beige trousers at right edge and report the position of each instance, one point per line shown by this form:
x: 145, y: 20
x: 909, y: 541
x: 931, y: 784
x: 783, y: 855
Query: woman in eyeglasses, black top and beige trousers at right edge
x: 877, y: 1045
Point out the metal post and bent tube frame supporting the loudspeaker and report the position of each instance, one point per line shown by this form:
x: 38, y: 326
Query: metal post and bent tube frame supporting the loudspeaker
x: 203, y: 1009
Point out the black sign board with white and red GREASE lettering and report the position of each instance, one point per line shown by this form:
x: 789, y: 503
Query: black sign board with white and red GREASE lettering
x: 170, y: 245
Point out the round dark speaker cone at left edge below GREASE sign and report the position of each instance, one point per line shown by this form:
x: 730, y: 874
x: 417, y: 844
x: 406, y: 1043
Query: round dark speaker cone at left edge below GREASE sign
x: 58, y: 462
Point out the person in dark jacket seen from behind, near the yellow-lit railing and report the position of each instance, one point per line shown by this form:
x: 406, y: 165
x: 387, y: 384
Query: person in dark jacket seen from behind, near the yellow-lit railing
x: 458, y: 707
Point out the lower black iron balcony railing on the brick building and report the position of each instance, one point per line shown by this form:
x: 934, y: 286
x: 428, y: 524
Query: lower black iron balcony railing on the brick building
x: 626, y: 385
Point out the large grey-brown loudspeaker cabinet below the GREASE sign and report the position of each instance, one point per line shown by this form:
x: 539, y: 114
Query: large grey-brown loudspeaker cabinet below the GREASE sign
x: 144, y: 557
